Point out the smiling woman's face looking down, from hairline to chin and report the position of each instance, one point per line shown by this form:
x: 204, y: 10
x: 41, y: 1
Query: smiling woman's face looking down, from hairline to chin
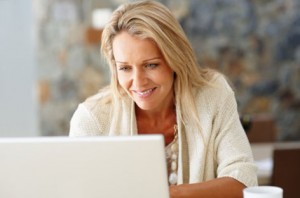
x: 143, y: 72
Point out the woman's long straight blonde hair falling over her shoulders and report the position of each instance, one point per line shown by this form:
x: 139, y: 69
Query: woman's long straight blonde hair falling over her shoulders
x: 152, y: 20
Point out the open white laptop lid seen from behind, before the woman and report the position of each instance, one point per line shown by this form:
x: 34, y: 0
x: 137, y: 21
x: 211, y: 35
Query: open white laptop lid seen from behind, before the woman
x: 87, y: 167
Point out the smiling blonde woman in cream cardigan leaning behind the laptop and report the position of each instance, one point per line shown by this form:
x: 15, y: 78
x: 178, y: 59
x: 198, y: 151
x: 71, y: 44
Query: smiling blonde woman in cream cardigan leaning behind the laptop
x: 158, y: 87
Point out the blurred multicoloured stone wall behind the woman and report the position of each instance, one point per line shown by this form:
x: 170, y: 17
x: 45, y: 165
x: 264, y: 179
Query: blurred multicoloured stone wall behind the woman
x: 255, y: 43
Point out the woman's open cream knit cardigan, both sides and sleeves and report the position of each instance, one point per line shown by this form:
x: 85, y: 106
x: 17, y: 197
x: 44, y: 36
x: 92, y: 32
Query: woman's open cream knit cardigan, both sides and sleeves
x: 227, y: 152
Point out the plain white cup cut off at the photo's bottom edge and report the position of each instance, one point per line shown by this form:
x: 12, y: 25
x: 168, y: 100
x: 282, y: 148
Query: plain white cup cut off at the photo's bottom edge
x: 263, y: 192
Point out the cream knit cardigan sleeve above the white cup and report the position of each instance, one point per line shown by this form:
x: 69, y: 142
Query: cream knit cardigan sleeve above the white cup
x: 234, y: 155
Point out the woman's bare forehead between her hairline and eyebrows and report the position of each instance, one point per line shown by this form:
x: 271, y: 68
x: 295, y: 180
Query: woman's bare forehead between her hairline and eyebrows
x: 127, y: 47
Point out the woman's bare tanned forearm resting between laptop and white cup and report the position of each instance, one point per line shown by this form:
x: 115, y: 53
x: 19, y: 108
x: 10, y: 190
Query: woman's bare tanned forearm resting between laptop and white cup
x: 221, y: 187
